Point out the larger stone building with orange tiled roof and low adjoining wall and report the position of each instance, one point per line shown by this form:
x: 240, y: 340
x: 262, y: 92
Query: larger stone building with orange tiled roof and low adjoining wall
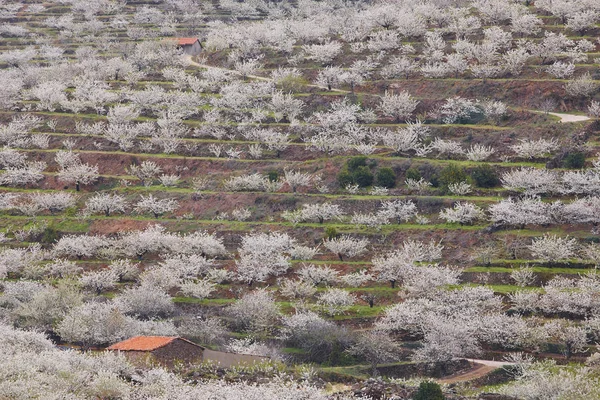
x: 169, y: 350
